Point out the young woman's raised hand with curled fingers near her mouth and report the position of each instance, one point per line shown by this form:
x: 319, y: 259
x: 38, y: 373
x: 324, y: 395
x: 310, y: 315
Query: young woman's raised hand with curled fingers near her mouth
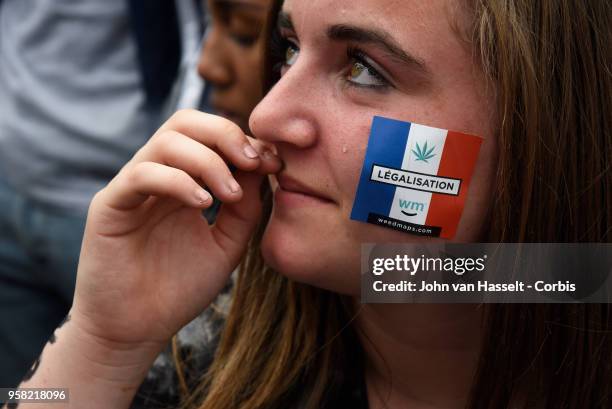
x: 150, y: 263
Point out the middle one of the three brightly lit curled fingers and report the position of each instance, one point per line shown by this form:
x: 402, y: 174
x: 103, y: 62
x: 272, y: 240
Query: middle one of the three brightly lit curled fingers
x: 177, y: 150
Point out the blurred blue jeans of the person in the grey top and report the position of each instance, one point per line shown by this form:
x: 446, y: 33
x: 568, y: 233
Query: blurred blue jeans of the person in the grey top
x: 39, y: 251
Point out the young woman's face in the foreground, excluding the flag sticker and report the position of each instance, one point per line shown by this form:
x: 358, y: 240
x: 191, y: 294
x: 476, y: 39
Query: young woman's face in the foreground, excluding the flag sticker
x: 345, y: 62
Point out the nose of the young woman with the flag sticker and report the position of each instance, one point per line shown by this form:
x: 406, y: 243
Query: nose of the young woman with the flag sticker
x: 288, y: 112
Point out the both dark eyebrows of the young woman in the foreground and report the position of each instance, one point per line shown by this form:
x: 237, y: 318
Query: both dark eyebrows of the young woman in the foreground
x: 379, y: 38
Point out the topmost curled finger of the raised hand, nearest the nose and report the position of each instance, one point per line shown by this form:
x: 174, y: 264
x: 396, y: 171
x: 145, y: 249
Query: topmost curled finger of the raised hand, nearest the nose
x: 217, y: 133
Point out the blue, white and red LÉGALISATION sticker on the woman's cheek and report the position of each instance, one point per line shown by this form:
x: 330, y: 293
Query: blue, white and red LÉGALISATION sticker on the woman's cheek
x: 415, y: 178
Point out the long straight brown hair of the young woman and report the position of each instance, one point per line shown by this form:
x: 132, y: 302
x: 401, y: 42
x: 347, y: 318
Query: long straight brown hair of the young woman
x: 550, y: 63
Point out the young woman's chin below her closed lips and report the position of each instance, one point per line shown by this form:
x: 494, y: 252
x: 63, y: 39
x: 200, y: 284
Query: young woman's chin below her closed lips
x: 317, y: 262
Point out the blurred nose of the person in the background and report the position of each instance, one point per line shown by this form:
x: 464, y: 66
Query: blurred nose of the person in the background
x: 214, y: 65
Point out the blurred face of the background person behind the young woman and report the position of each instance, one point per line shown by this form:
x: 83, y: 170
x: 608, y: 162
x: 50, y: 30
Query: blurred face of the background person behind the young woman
x: 231, y: 56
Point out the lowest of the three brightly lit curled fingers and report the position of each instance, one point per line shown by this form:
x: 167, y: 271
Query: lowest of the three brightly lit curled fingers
x: 137, y: 183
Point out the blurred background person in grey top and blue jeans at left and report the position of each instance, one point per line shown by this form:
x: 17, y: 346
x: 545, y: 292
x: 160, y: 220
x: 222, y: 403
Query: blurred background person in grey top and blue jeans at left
x: 82, y: 86
